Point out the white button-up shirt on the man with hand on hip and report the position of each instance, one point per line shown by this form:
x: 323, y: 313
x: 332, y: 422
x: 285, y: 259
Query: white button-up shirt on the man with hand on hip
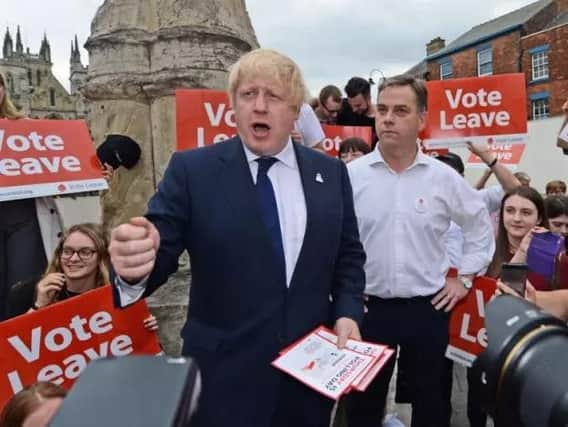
x: 403, y: 219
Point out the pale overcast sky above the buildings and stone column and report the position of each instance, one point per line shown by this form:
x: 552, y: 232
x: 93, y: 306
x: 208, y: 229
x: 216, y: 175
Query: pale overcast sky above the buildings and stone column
x: 332, y: 40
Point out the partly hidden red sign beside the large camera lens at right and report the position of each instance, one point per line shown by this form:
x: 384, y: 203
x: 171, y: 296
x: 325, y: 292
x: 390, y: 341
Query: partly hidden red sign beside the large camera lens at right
x: 468, y: 336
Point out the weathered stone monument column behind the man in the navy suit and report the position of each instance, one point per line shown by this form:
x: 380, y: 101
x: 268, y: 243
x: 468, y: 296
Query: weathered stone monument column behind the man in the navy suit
x: 140, y: 52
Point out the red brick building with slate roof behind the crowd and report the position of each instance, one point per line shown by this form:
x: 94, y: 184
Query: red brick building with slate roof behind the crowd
x: 532, y: 40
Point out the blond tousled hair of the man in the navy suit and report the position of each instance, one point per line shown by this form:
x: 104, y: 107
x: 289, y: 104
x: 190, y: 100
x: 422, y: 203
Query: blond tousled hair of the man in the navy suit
x: 273, y: 65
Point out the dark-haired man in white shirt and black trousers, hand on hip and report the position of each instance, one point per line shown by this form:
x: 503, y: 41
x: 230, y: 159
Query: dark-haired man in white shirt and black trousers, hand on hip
x: 404, y: 202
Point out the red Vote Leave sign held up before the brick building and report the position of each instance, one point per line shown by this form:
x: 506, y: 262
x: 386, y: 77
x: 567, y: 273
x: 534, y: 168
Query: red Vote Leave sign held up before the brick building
x: 476, y: 109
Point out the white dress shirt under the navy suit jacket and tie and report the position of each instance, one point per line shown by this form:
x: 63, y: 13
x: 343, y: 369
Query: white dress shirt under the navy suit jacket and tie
x: 292, y: 214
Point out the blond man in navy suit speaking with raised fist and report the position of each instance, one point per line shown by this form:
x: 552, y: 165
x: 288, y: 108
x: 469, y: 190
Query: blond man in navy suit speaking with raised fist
x: 272, y: 236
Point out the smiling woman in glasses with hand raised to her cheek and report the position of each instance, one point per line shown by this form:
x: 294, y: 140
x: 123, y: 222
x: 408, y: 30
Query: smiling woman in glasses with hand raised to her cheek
x: 79, y: 264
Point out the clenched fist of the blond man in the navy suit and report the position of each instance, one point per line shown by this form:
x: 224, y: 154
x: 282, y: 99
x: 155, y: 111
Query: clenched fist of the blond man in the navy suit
x: 133, y: 247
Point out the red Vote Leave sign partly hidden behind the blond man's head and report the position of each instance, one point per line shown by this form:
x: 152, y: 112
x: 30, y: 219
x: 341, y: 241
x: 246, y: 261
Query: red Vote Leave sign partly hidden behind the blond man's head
x: 205, y: 117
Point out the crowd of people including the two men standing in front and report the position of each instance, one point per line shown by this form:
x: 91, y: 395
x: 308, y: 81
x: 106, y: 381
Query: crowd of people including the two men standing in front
x: 283, y: 238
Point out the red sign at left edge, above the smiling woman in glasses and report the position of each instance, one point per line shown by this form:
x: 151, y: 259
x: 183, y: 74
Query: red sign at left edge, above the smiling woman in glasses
x: 47, y: 157
